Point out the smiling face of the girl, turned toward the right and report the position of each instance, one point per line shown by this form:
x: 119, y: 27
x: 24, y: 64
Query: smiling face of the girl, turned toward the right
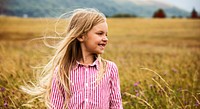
x: 95, y: 41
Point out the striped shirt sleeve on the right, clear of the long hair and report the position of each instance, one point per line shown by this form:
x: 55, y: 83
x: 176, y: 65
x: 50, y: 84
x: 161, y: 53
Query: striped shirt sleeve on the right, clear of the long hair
x: 115, y: 94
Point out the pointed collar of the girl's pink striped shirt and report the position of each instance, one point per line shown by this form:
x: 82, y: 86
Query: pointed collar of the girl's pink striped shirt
x: 94, y: 64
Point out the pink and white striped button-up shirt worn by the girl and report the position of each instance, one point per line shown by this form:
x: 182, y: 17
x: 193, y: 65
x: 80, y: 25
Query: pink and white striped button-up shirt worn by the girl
x: 86, y: 93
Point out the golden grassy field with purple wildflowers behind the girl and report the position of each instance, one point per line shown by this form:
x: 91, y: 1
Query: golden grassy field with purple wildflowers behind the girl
x: 158, y: 60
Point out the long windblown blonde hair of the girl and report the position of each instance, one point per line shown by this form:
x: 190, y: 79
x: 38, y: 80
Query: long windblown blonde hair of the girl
x: 67, y: 53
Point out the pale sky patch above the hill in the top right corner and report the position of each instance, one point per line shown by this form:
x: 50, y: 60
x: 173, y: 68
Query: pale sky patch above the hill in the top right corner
x: 187, y: 5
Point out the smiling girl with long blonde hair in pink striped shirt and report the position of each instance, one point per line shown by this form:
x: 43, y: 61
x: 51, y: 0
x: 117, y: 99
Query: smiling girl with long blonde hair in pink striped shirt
x: 77, y: 77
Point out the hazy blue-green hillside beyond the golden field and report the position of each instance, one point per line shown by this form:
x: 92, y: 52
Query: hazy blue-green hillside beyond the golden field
x: 54, y: 8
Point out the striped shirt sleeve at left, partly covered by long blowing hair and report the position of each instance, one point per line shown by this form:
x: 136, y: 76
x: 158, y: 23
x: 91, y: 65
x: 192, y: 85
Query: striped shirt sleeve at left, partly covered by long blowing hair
x: 56, y: 95
